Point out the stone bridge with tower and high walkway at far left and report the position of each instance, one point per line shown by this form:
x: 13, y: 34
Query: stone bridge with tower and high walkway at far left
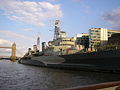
x: 13, y: 53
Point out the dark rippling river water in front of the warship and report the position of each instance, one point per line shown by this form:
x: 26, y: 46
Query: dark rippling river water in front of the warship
x: 14, y: 76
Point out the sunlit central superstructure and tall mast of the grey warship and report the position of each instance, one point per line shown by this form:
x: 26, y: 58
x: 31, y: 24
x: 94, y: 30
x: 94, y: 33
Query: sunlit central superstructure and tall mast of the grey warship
x: 61, y: 44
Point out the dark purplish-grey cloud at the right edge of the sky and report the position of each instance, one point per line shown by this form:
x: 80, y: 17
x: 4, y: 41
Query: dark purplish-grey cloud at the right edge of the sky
x: 113, y: 17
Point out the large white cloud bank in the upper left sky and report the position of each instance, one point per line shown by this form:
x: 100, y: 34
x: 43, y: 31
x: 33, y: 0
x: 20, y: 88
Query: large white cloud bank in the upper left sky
x: 30, y: 12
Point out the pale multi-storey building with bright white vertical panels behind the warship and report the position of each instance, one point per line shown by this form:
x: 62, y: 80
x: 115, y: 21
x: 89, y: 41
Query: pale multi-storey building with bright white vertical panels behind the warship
x: 99, y: 36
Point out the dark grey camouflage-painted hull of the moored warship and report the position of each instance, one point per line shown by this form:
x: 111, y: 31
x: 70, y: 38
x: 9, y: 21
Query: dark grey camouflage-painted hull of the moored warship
x: 105, y: 61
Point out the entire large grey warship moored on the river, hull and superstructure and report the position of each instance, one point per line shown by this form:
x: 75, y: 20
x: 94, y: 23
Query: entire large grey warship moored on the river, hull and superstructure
x: 63, y: 54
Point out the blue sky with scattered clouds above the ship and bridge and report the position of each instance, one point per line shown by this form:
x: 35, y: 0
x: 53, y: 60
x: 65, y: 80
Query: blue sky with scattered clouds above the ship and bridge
x: 22, y: 21
